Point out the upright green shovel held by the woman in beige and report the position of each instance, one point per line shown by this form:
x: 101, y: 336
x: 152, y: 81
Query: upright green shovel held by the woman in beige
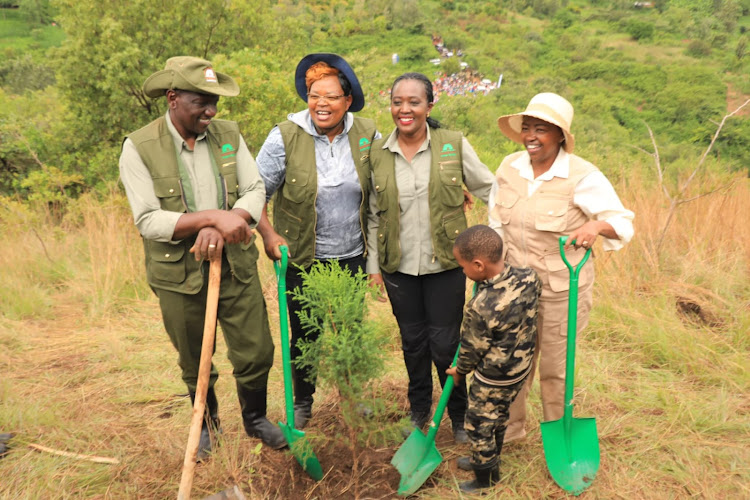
x: 571, y: 445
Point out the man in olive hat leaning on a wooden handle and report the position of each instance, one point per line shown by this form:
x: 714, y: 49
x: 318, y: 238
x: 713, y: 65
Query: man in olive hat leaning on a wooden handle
x: 194, y: 188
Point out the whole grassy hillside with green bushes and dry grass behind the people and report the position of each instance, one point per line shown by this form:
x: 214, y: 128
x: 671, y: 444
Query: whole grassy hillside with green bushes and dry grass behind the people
x: 663, y: 367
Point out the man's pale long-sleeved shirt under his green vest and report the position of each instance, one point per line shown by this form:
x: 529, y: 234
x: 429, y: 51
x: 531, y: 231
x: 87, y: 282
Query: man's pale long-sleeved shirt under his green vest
x: 156, y: 224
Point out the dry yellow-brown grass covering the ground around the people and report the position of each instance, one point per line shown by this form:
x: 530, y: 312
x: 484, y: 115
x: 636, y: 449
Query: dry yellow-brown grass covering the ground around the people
x: 87, y: 368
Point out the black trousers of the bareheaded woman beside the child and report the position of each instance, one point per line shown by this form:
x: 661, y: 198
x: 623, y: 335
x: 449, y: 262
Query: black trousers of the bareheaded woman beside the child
x: 429, y: 310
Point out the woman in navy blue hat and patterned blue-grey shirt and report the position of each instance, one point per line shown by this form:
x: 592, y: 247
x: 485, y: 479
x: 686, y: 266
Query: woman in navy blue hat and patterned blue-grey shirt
x: 315, y: 166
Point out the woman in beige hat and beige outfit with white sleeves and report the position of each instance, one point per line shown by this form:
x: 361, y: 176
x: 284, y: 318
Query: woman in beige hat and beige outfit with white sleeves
x: 542, y: 193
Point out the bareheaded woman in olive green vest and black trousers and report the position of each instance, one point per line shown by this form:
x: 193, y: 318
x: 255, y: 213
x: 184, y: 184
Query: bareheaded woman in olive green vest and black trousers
x: 416, y: 213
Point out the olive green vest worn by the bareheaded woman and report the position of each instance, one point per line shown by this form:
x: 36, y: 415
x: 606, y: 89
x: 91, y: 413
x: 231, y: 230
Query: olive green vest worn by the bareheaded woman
x: 446, y: 199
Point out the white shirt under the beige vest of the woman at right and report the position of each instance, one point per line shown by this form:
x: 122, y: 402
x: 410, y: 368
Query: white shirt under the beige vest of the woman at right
x: 594, y: 195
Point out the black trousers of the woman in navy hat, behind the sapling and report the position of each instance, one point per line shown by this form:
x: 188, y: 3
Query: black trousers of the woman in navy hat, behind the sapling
x: 304, y: 386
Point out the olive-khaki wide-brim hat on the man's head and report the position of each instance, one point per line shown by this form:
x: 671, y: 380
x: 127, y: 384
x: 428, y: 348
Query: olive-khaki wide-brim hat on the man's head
x: 192, y: 74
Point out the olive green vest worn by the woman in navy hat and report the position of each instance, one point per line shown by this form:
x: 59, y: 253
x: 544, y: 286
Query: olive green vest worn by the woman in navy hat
x: 294, y: 214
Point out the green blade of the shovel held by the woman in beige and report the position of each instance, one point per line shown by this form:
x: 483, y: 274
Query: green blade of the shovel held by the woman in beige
x: 572, y: 455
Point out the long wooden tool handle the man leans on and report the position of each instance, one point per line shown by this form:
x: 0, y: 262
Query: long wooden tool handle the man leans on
x: 204, y: 370
